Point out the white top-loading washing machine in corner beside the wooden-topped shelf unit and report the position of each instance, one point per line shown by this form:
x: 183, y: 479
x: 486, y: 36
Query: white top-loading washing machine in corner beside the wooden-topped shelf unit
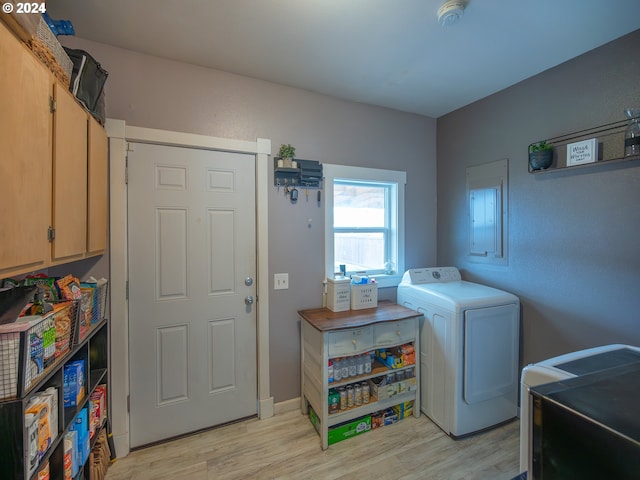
x: 469, y: 345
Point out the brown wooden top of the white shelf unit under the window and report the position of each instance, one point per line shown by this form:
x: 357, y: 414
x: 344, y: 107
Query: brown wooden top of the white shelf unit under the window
x: 325, y: 320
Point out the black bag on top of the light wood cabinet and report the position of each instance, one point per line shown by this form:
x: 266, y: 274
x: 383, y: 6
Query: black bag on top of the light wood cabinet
x: 87, y: 81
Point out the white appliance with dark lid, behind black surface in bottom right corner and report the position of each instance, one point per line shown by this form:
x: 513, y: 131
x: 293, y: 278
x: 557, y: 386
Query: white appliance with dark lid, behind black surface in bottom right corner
x: 574, y: 364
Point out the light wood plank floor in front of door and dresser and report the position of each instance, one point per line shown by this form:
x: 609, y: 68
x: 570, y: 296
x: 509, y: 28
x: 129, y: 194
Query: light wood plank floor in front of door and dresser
x: 286, y: 446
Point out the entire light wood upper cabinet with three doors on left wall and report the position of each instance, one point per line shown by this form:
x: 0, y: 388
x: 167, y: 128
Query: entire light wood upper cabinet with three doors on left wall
x: 53, y: 168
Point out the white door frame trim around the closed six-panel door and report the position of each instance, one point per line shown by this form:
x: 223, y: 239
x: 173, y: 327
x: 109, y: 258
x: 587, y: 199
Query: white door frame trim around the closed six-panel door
x: 119, y: 135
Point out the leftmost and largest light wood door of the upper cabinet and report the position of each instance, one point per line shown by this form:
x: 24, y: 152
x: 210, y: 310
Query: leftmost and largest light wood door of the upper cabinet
x: 25, y: 157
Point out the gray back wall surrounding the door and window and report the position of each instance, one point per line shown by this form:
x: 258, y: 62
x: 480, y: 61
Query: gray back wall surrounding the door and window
x: 150, y: 92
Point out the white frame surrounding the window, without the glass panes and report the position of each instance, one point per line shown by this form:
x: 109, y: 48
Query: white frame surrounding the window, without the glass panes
x: 364, y: 174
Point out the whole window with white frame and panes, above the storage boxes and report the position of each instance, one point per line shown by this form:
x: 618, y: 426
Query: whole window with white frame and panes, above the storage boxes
x: 364, y: 218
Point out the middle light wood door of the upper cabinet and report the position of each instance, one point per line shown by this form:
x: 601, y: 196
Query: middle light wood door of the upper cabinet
x: 69, y: 177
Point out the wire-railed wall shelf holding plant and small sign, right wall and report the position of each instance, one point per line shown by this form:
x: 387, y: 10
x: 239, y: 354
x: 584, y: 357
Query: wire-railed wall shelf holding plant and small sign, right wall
x: 610, y: 139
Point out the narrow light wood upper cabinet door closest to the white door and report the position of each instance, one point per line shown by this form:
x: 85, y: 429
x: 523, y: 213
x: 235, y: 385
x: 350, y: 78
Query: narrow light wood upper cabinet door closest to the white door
x: 98, y: 177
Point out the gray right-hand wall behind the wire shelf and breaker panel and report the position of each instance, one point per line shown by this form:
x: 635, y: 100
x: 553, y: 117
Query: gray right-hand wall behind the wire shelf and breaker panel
x: 574, y: 256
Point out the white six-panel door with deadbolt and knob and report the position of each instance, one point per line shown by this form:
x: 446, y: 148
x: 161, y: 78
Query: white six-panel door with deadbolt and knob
x: 192, y: 265
